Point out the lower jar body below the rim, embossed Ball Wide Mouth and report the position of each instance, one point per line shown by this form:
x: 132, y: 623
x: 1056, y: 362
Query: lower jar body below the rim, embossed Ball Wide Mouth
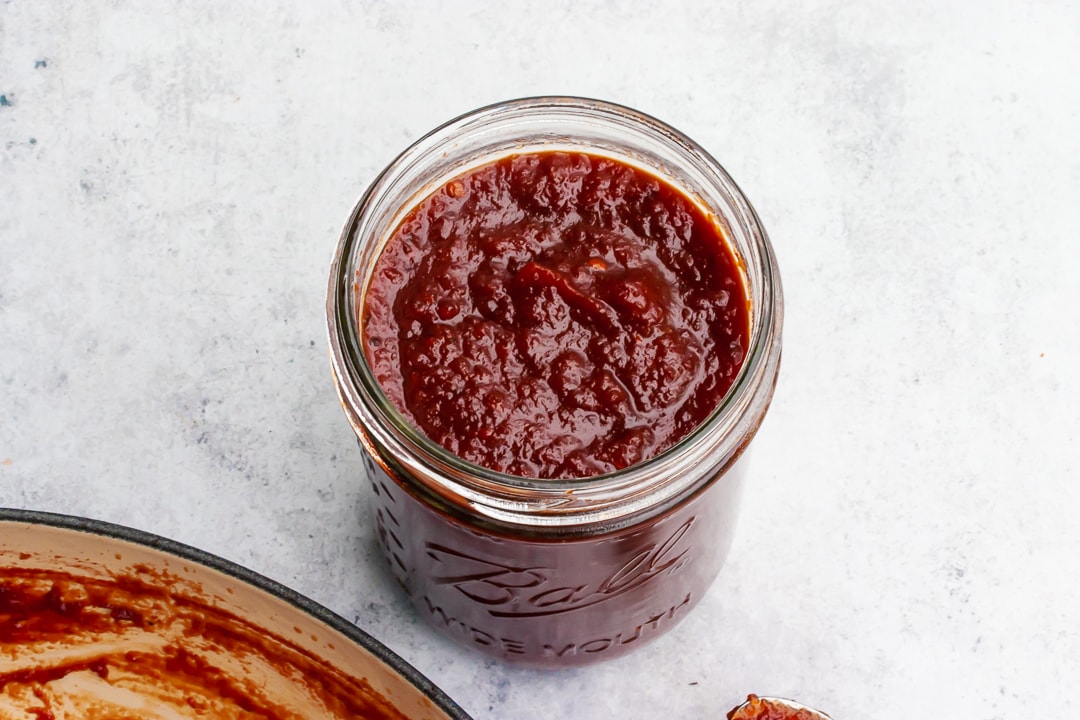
x: 552, y: 602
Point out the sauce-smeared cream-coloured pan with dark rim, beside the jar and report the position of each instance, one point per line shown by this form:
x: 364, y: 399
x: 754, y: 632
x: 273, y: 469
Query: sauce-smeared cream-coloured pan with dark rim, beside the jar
x: 100, y: 621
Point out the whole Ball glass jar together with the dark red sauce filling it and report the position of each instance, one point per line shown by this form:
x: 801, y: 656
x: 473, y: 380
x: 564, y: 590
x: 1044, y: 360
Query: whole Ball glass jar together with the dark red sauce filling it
x: 556, y: 329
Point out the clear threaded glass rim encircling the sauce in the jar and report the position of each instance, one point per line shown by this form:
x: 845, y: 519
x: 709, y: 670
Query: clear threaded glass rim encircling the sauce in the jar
x: 504, y: 499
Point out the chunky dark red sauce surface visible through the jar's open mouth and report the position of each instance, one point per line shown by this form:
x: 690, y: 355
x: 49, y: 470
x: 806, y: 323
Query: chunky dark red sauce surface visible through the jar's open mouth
x: 557, y: 316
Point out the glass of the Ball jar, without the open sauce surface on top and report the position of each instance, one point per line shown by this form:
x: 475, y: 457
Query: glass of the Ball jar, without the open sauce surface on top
x: 553, y: 573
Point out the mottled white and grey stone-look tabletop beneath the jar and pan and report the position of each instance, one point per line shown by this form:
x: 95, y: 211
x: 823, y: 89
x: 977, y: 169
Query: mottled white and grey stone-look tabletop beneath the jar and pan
x: 173, y: 181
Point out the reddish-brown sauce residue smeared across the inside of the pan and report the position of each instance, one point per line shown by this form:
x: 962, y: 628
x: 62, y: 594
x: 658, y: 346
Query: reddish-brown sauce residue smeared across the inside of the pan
x: 73, y: 648
